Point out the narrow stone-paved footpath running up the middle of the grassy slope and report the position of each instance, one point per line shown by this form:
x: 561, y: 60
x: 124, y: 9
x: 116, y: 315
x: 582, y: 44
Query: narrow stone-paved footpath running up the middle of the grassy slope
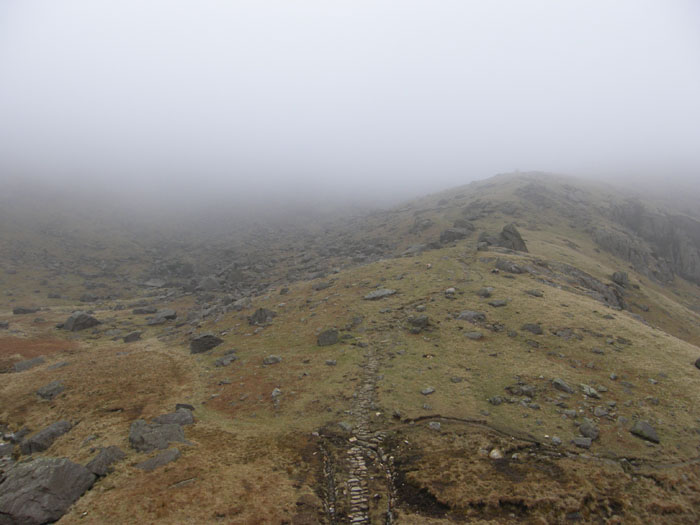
x: 360, y: 470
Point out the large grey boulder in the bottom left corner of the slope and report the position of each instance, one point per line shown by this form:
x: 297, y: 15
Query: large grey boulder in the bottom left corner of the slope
x: 41, y: 491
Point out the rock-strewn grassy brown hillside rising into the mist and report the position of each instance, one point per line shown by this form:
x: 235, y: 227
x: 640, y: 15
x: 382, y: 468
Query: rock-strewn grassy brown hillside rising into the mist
x: 517, y: 350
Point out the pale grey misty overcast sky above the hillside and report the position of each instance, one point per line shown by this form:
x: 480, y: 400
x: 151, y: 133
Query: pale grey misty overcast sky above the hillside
x: 370, y: 96
